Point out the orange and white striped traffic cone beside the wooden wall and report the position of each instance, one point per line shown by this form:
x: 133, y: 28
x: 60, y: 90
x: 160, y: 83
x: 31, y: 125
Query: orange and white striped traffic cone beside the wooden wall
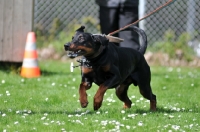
x: 30, y: 67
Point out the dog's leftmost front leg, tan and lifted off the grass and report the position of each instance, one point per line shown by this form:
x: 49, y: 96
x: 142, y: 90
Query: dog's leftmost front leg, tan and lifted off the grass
x: 82, y: 93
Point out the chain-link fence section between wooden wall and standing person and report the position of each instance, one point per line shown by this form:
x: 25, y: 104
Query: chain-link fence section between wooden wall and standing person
x: 68, y: 12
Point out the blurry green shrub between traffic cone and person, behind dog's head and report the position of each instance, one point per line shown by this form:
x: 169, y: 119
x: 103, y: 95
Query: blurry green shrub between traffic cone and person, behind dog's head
x: 58, y: 38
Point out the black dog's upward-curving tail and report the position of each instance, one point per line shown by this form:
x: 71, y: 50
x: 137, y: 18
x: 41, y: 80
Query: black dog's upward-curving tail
x: 143, y: 36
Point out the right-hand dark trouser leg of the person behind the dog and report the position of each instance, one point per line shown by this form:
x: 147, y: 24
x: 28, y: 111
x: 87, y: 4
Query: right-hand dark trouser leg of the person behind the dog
x: 128, y: 15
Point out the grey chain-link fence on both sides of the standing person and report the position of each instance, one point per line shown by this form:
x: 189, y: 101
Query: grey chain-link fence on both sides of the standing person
x: 181, y: 16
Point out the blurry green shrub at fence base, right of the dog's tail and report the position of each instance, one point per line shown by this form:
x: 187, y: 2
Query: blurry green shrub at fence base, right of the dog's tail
x: 173, y: 46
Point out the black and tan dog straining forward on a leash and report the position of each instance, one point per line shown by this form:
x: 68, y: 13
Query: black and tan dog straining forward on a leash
x: 110, y: 66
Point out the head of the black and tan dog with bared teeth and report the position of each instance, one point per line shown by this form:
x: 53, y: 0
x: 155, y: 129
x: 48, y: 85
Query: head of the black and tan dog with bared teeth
x: 85, y: 44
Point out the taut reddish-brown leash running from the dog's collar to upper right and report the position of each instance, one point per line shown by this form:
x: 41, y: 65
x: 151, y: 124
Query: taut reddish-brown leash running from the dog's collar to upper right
x: 156, y: 10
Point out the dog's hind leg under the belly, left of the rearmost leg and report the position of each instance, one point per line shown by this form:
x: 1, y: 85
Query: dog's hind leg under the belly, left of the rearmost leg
x: 121, y: 92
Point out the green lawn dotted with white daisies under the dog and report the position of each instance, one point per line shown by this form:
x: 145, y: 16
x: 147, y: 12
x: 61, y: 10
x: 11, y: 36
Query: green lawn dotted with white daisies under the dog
x: 50, y: 103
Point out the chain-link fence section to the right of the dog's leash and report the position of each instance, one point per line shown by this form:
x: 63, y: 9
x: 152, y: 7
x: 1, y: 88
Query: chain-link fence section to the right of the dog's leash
x: 181, y: 16
